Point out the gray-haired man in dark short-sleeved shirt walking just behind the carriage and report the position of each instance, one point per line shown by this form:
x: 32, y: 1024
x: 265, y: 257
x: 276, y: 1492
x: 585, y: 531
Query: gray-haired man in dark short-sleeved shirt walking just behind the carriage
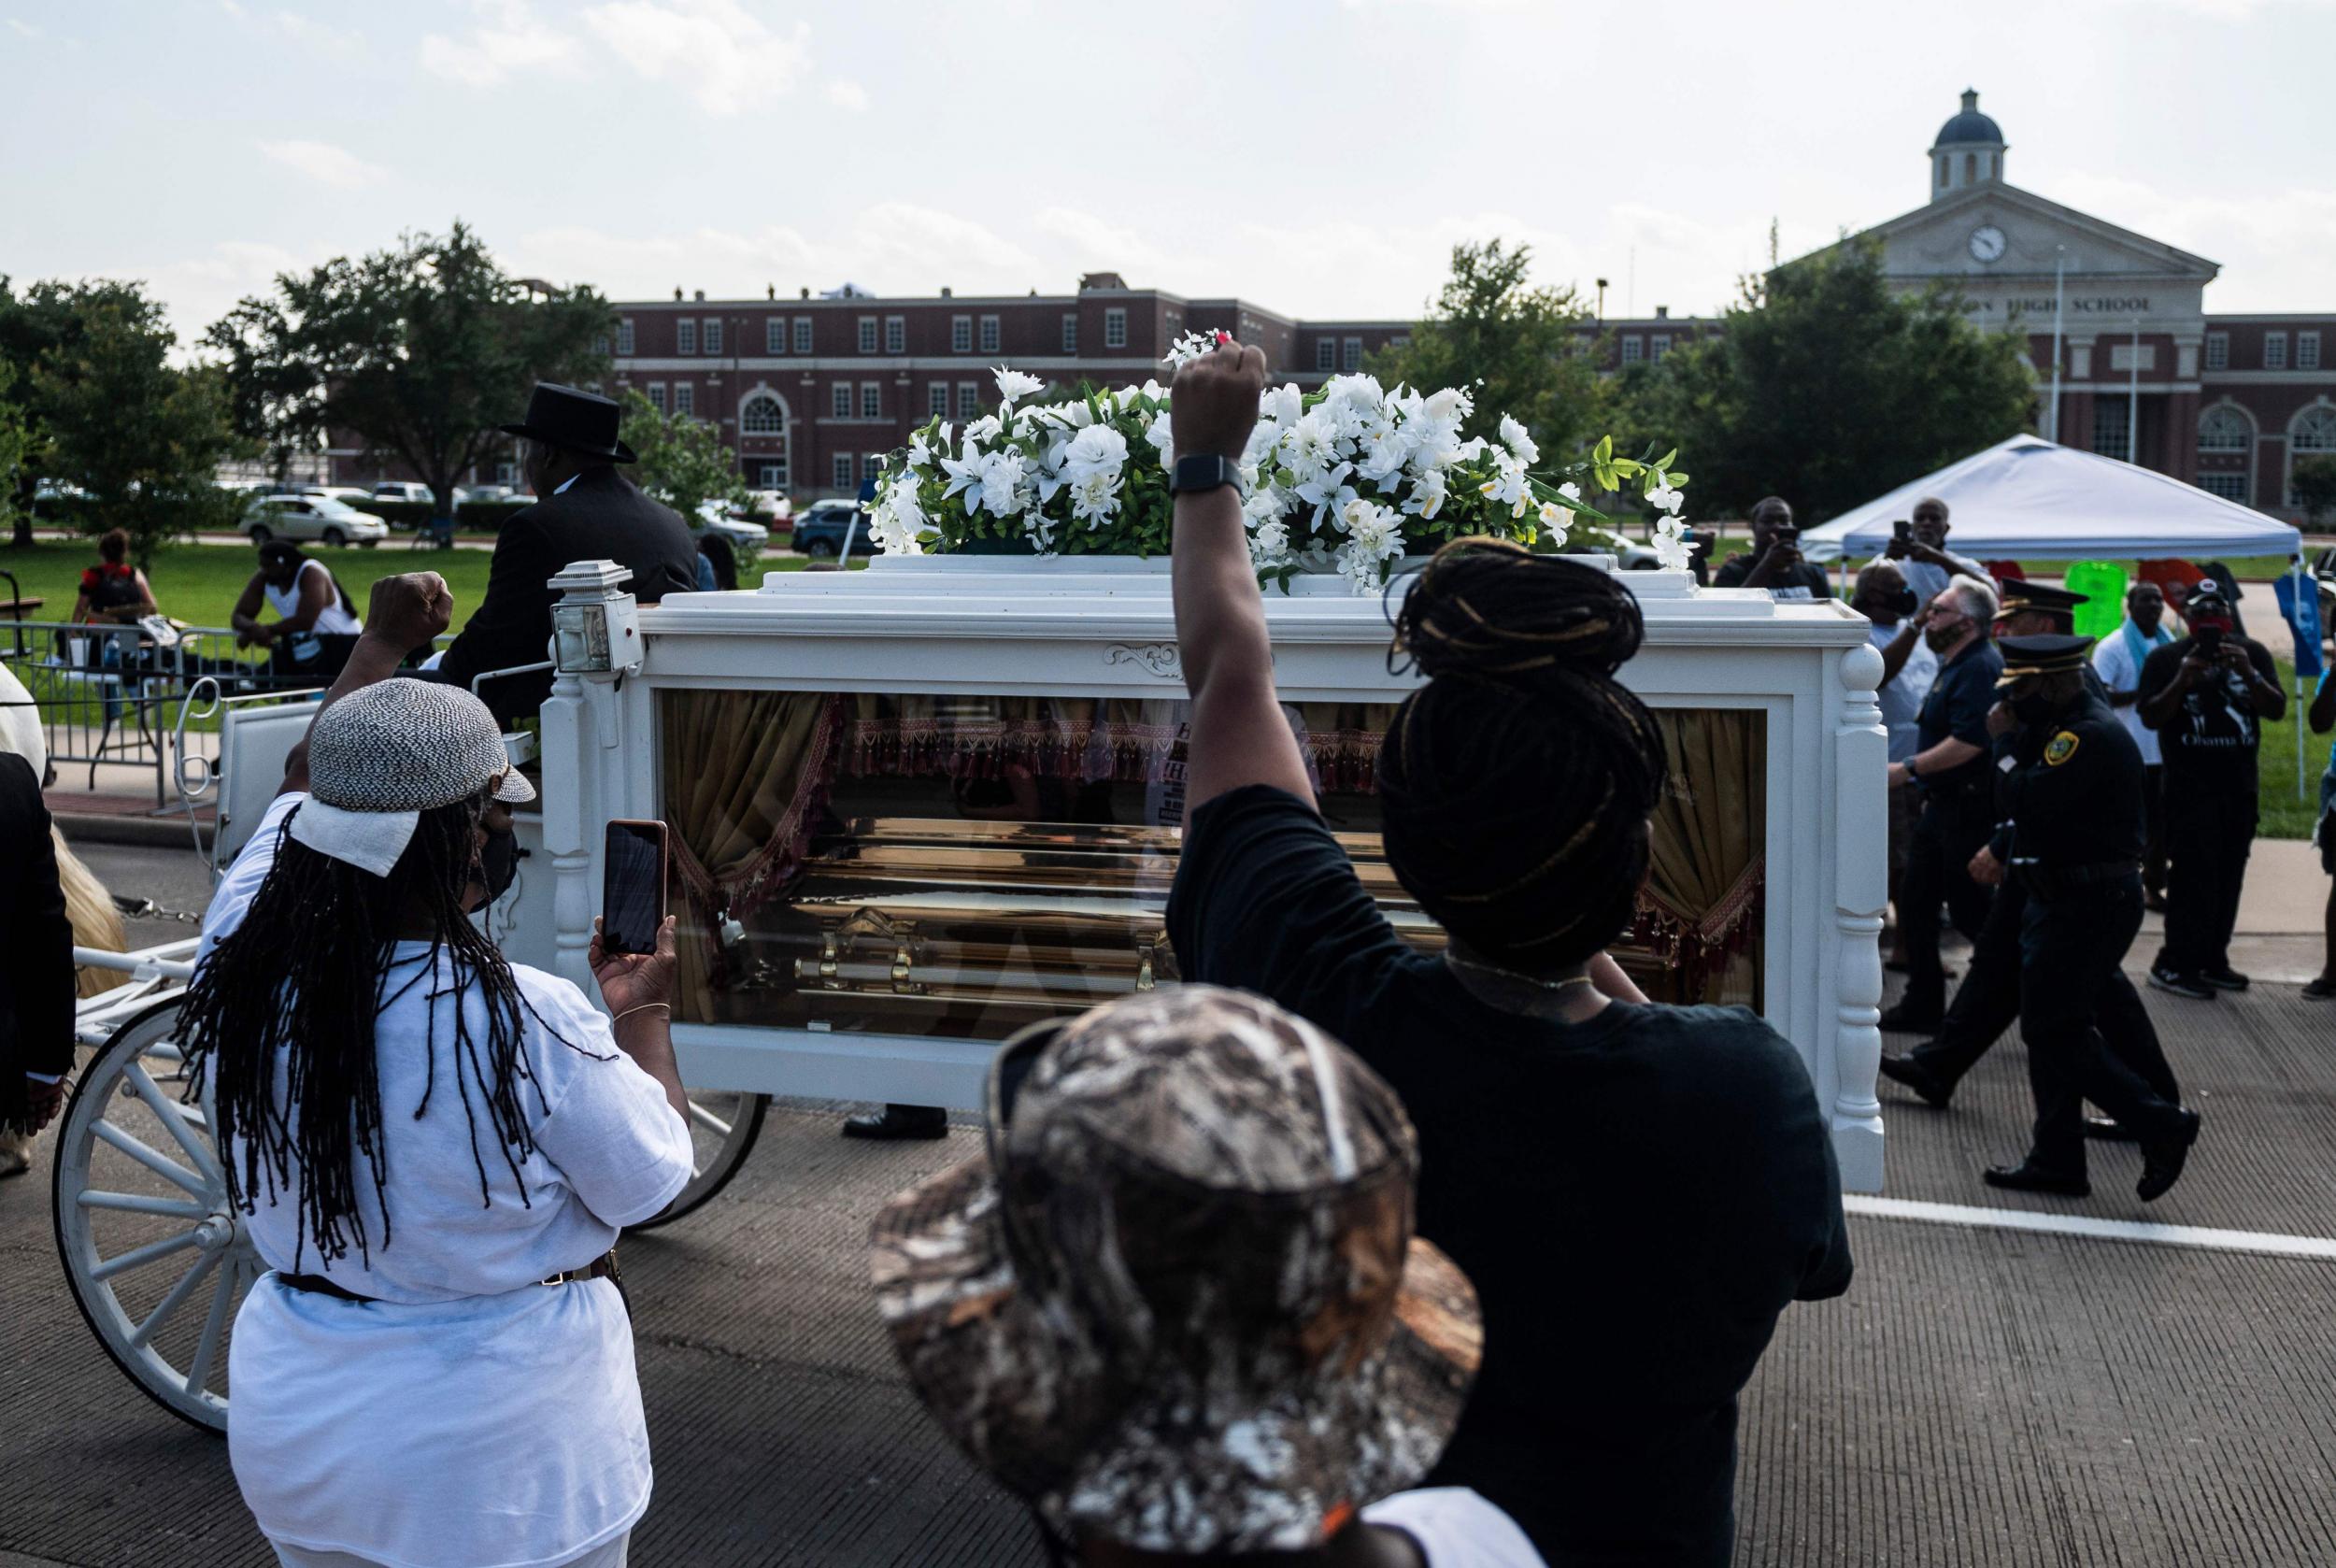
x: 1954, y: 775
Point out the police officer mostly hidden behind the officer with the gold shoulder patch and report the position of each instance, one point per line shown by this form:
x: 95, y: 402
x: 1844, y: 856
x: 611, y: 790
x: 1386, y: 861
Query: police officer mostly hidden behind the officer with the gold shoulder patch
x: 1989, y: 999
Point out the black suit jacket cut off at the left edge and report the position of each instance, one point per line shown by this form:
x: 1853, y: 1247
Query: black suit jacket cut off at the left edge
x: 36, y: 943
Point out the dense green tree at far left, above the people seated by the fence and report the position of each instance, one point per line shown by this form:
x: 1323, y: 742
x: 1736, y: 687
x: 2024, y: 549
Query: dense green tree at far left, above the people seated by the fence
x: 139, y: 433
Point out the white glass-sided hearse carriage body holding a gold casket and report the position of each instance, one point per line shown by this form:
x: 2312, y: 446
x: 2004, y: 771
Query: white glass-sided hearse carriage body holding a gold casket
x: 922, y: 805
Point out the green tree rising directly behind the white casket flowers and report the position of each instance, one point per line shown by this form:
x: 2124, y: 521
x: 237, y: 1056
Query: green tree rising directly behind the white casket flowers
x: 1520, y: 342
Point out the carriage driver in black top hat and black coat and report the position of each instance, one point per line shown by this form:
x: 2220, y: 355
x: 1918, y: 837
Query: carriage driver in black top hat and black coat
x: 585, y: 513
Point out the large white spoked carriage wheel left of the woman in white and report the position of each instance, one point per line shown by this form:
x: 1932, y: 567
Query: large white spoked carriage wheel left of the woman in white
x: 155, y: 1254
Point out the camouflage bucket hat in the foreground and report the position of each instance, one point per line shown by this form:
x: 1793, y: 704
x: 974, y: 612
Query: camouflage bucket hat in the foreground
x: 1179, y: 1300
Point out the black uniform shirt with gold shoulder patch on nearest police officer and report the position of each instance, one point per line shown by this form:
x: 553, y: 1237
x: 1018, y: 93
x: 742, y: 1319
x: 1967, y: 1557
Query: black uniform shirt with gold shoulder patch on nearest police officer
x: 2076, y: 791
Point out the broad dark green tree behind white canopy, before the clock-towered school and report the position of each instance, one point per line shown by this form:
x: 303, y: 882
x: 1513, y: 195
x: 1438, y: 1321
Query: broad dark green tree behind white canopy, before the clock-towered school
x: 1828, y: 387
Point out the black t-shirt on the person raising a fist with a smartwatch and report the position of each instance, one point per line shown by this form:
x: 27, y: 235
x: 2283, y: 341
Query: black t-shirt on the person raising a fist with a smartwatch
x: 1636, y: 1198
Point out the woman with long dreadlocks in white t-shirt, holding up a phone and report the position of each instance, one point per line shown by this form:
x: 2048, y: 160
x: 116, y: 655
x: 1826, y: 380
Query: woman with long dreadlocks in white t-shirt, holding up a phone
x: 433, y: 1149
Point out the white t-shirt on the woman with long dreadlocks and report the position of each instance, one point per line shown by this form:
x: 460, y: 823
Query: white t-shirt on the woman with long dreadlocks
x: 468, y: 1417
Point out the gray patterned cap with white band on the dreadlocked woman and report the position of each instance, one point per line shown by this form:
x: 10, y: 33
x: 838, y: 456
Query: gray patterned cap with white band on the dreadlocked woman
x: 391, y: 751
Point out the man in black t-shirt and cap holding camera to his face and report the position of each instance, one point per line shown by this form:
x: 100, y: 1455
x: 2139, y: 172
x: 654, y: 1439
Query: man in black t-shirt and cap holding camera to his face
x: 2209, y: 698
